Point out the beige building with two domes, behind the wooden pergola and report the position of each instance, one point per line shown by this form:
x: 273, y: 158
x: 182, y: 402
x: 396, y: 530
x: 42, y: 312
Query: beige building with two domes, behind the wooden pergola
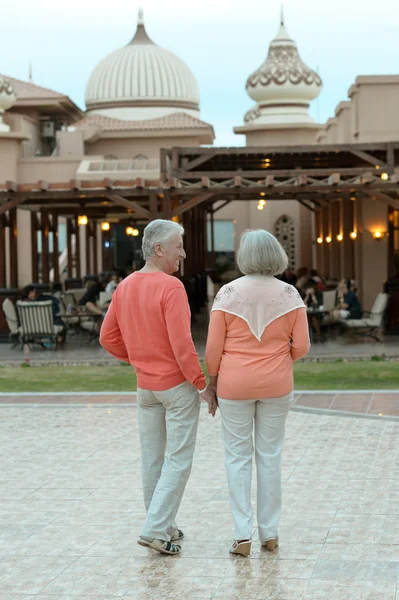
x: 142, y: 98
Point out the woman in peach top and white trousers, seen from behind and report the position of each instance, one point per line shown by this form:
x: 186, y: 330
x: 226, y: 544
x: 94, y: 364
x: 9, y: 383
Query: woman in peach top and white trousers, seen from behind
x: 258, y: 329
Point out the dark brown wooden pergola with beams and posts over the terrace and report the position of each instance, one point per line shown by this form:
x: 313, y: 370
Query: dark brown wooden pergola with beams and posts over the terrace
x: 196, y: 182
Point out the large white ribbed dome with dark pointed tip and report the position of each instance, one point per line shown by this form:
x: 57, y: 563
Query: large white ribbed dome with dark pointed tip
x: 139, y: 75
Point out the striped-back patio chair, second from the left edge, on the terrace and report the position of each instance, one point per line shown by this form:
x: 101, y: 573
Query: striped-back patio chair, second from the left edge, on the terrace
x: 37, y: 322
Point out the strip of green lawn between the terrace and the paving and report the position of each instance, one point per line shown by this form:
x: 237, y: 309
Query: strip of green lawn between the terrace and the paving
x: 308, y: 375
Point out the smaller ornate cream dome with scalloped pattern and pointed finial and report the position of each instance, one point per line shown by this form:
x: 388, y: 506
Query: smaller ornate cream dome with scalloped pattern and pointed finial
x: 283, y: 86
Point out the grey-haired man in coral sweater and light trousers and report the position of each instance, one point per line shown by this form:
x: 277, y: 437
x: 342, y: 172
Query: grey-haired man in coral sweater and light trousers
x: 148, y: 325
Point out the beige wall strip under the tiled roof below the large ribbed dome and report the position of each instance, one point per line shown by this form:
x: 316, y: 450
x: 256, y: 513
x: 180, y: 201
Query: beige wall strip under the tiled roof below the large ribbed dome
x: 130, y: 147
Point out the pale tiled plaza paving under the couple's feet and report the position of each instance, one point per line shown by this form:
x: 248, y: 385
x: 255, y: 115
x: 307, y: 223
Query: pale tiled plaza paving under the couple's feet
x: 71, y: 508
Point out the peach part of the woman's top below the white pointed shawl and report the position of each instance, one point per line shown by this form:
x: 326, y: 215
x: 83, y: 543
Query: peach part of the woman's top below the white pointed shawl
x: 250, y: 369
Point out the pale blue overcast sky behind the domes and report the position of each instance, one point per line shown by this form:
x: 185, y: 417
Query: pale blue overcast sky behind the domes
x: 222, y: 41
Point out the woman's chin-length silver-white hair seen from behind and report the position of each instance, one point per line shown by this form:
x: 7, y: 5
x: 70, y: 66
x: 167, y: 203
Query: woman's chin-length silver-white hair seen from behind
x: 261, y: 253
